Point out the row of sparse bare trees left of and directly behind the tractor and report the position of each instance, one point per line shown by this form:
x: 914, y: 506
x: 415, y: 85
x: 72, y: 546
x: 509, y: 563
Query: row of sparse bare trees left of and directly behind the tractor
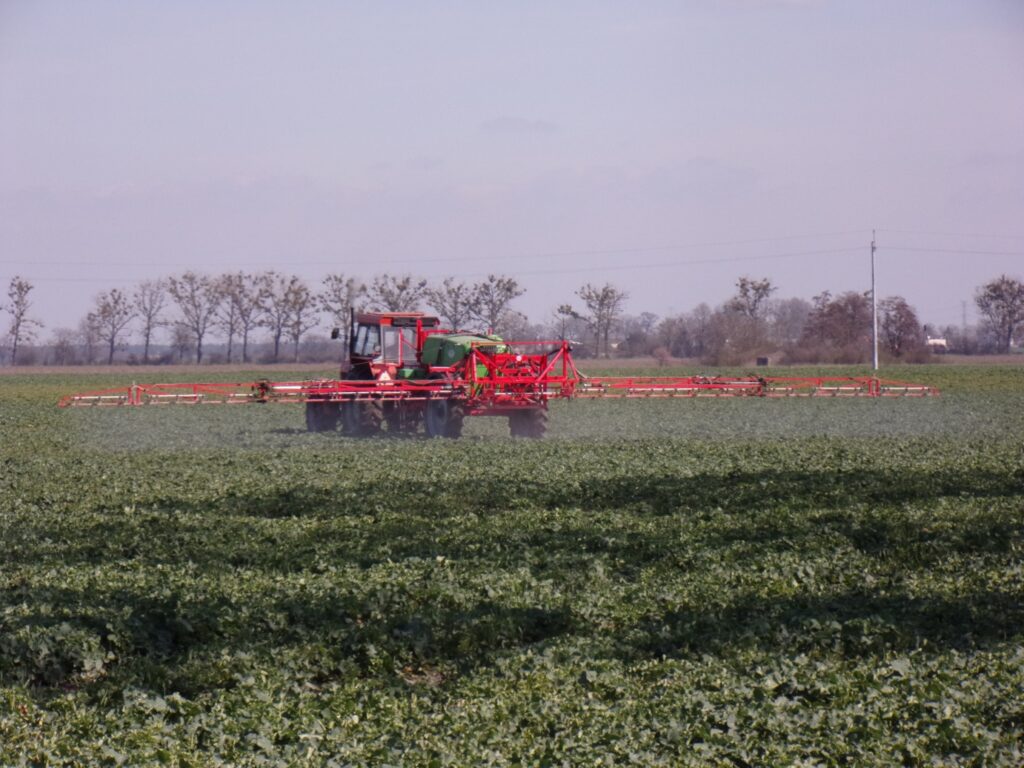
x: 193, y: 311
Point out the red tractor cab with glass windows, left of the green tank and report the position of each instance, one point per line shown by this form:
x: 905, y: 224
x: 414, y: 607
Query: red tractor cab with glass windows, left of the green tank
x: 388, y: 345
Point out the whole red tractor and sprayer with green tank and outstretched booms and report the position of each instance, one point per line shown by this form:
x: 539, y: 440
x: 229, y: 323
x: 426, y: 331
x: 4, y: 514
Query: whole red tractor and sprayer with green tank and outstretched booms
x: 405, y: 371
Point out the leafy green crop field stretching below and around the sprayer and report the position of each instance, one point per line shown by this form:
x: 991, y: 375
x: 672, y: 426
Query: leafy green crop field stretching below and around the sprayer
x: 735, y: 582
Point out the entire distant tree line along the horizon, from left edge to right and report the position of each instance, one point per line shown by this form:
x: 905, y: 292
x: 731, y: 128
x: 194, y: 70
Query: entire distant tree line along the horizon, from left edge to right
x: 279, y: 314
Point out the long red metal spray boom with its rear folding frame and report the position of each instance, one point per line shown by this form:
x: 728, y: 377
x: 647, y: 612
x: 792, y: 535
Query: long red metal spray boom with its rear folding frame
x: 496, y: 383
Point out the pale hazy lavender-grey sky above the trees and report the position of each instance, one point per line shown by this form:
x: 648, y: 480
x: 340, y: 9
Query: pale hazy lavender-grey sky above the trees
x: 665, y: 147
